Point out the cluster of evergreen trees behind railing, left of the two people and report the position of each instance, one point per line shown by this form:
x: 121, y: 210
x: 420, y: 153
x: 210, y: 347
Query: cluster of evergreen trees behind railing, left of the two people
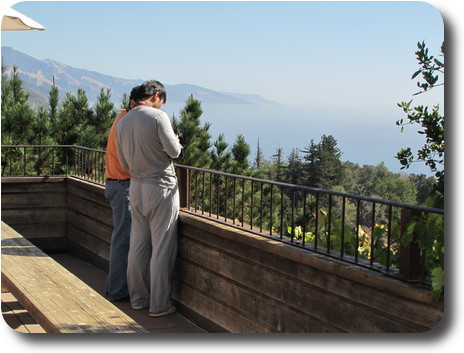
x: 68, y: 122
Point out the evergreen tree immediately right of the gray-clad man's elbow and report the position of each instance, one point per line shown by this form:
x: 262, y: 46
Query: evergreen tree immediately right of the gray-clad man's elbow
x: 194, y: 138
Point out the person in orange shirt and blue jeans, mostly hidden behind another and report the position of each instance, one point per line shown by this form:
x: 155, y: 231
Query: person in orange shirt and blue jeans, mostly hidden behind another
x: 117, y: 193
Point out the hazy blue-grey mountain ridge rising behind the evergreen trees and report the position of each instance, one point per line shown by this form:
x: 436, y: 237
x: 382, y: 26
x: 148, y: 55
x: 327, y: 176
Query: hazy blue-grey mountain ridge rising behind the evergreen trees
x: 38, y: 76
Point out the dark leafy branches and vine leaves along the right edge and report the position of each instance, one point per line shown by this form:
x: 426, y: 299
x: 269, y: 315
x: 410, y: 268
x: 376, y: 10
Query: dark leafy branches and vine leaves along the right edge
x: 429, y: 229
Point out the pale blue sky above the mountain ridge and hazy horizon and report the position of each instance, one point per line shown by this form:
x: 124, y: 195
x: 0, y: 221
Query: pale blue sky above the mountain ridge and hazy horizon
x: 298, y: 53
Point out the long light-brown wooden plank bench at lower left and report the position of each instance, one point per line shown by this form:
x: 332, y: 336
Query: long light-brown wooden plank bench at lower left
x: 56, y: 299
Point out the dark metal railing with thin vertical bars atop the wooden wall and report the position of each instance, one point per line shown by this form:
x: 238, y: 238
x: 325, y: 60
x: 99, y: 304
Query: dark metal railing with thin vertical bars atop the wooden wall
x: 361, y: 230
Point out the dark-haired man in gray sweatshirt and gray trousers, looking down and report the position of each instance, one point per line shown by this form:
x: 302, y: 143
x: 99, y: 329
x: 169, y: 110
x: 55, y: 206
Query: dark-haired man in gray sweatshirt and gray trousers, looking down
x: 146, y: 144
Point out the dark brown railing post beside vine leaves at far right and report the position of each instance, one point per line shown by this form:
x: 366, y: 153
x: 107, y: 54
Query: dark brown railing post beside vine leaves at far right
x: 410, y: 263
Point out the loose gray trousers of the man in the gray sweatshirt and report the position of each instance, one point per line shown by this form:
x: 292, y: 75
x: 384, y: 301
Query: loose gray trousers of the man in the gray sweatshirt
x: 153, y: 244
